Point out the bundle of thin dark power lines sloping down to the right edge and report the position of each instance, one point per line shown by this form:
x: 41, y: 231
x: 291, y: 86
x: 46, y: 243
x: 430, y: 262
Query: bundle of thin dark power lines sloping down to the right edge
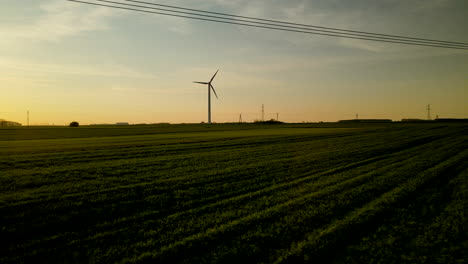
x: 240, y: 22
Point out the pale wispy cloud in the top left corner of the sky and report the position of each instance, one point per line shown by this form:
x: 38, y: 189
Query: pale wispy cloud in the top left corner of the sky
x: 59, y: 19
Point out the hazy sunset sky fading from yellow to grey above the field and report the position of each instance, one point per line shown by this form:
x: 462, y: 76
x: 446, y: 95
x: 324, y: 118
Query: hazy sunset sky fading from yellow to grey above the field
x: 63, y: 61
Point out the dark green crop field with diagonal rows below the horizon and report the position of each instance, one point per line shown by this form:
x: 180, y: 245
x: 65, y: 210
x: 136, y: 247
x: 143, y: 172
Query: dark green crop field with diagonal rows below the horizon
x: 322, y: 193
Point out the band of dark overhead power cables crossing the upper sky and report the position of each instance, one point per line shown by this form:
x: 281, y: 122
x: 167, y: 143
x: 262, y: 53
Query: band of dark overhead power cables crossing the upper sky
x: 275, y: 25
